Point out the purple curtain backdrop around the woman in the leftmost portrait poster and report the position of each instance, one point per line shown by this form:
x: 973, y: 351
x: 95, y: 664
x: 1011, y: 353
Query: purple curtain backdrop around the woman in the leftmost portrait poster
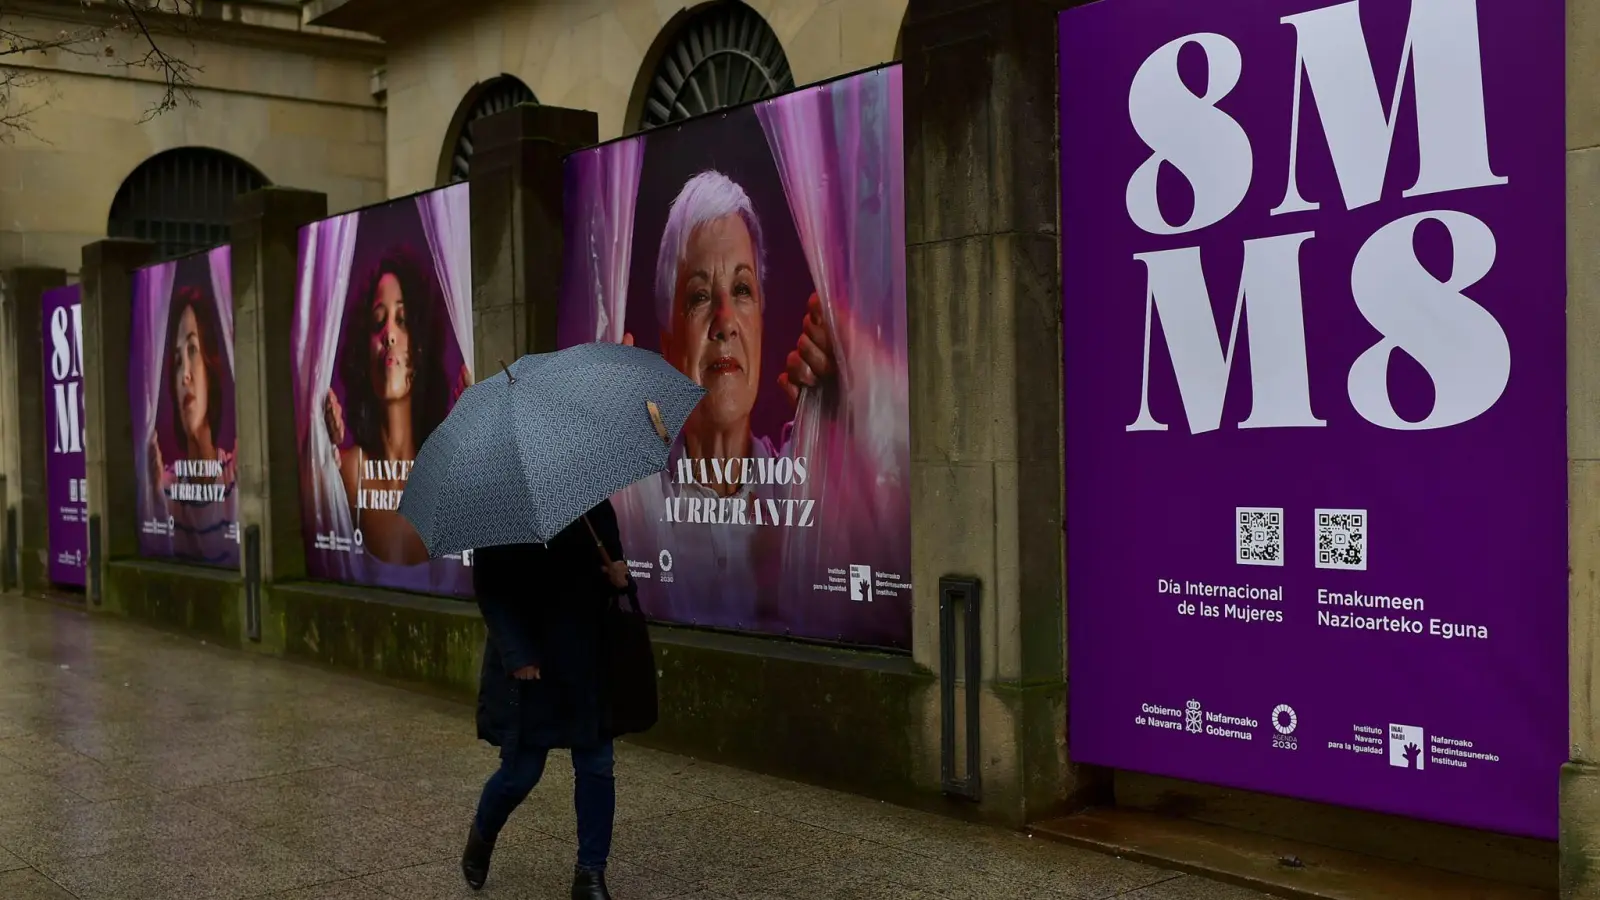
x: 193, y: 271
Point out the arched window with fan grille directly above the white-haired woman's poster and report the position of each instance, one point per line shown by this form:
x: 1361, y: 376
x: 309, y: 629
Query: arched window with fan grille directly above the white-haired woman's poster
x: 722, y: 55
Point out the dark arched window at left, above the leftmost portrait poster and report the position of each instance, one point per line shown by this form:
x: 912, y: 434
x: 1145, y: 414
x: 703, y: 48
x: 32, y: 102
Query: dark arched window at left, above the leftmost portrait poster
x: 182, y: 201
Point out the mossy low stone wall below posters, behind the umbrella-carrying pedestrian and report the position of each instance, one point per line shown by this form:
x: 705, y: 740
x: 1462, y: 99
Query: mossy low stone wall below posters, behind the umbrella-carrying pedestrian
x: 831, y: 717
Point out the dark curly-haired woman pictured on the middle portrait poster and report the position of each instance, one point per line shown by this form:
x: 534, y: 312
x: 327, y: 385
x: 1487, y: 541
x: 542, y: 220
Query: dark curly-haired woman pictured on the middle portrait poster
x: 393, y: 368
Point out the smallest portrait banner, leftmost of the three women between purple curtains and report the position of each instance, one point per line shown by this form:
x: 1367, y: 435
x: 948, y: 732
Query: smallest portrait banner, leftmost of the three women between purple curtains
x: 182, y: 395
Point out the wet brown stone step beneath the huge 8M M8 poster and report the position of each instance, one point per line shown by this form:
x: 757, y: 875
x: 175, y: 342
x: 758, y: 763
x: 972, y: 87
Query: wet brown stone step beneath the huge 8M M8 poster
x: 1282, y: 867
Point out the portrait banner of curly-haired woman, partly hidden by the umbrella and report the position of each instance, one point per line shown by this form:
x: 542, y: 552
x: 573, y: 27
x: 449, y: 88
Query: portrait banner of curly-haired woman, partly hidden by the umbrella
x: 382, y: 345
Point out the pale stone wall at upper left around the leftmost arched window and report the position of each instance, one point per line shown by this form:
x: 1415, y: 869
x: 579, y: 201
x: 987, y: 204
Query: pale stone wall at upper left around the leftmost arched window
x: 278, y: 102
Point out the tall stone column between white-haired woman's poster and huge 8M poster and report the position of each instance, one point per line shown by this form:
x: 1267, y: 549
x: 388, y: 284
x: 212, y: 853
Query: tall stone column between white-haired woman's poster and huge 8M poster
x: 985, y: 311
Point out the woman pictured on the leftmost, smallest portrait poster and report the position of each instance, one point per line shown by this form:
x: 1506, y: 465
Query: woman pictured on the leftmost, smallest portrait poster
x: 194, y: 385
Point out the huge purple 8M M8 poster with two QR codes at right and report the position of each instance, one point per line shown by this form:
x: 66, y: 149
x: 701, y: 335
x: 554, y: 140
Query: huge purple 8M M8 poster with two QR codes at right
x: 1314, y: 263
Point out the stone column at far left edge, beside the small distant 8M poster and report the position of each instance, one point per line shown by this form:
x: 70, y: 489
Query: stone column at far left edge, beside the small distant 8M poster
x: 23, y: 409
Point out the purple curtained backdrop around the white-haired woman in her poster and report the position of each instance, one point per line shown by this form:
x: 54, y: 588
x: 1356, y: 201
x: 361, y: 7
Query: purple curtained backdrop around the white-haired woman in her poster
x: 852, y: 169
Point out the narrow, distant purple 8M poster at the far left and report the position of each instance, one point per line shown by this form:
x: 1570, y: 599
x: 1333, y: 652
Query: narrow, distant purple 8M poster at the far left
x: 66, y: 486
